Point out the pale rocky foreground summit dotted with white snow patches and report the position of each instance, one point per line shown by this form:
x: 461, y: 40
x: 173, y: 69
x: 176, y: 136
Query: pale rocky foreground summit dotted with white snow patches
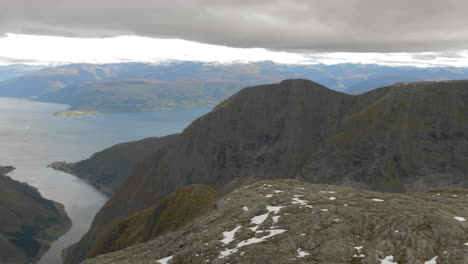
x: 287, y: 221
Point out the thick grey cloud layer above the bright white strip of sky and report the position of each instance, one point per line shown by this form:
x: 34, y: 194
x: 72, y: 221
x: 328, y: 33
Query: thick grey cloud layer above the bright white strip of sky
x: 294, y: 25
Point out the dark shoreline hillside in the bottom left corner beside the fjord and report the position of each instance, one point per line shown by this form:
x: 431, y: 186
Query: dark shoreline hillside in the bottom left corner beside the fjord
x: 28, y: 222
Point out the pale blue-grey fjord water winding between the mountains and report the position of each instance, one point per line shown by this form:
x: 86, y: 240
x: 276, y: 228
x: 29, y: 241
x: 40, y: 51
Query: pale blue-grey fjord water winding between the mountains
x: 31, y: 138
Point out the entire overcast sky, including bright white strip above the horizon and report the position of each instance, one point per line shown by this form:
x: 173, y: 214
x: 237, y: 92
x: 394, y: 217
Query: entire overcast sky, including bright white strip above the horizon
x: 418, y: 32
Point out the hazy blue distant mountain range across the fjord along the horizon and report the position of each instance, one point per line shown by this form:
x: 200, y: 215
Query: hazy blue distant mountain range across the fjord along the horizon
x: 132, y: 87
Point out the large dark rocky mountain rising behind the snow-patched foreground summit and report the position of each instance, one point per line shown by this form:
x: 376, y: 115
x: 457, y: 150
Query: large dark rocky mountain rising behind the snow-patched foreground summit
x: 402, y: 138
